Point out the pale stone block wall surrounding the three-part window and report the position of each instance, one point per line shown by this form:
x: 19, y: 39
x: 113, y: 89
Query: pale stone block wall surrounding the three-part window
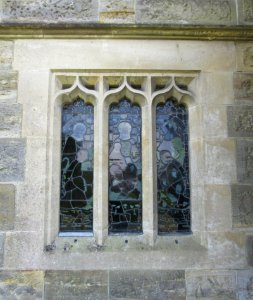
x: 216, y: 261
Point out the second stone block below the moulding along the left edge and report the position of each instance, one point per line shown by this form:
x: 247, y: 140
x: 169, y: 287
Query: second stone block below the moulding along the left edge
x: 8, y: 86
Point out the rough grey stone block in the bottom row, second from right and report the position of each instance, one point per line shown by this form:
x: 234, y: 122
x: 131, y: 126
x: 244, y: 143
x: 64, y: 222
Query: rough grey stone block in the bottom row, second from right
x: 210, y: 284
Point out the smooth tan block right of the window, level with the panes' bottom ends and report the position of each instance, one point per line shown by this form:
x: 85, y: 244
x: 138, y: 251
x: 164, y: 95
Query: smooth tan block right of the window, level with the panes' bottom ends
x: 218, y: 208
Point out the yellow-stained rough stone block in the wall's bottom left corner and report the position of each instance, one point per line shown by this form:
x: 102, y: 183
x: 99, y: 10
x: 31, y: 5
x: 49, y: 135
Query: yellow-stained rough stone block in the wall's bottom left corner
x: 21, y: 285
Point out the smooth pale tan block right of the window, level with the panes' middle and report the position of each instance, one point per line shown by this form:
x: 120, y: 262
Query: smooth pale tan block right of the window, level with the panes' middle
x: 220, y: 165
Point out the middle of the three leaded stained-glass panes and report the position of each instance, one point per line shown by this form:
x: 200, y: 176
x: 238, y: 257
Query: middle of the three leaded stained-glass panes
x: 125, y: 190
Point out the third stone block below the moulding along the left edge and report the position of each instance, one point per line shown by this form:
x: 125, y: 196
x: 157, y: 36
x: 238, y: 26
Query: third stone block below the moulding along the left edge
x: 10, y: 120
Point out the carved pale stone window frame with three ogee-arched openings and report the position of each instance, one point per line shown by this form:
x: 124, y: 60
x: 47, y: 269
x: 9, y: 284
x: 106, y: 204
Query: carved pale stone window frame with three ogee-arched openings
x: 66, y: 86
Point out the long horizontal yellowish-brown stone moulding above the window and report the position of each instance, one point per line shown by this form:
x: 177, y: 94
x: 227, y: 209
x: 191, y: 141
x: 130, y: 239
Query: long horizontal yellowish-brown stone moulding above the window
x: 98, y: 31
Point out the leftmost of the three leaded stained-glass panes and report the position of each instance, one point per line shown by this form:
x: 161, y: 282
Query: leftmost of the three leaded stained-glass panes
x: 76, y: 206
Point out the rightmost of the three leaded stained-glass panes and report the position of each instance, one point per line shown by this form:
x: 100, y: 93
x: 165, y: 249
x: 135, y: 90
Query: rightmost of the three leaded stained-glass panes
x: 173, y: 189
